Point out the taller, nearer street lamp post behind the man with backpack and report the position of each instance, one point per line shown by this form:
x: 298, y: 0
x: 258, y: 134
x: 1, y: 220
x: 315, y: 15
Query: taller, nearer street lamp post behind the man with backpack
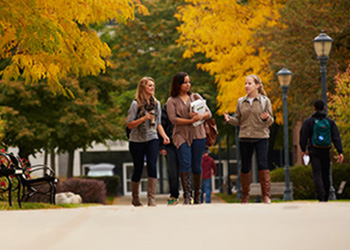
x: 323, y: 46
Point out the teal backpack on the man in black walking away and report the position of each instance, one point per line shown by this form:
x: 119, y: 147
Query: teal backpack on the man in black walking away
x: 321, y: 136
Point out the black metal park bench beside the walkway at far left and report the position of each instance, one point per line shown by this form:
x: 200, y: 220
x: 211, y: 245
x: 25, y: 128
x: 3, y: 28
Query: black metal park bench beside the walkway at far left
x: 36, y: 179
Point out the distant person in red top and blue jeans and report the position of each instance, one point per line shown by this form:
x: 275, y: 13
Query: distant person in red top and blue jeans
x: 208, y: 170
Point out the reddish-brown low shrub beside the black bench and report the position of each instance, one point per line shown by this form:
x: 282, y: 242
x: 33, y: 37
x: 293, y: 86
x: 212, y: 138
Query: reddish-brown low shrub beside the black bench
x: 91, y: 191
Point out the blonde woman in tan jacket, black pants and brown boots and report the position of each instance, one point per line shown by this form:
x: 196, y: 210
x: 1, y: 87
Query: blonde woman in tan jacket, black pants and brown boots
x: 253, y: 116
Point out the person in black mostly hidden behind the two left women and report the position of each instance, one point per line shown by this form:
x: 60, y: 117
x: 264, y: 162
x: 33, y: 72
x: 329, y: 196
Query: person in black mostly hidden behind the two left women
x: 170, y: 152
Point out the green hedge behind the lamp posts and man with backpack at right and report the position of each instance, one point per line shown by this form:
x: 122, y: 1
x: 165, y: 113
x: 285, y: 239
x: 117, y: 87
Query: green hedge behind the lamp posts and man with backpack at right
x: 303, y: 184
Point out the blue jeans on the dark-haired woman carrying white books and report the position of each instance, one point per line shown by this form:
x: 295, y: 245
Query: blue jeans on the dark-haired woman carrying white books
x: 190, y: 157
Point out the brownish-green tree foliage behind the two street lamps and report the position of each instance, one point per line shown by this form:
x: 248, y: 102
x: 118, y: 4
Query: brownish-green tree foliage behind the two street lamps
x: 290, y: 43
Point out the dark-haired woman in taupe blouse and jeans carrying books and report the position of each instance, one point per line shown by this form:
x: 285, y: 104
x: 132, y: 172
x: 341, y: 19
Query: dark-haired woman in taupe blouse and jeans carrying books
x: 188, y: 137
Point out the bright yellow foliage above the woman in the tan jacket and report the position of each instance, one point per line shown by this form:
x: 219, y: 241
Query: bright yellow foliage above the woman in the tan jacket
x: 224, y: 31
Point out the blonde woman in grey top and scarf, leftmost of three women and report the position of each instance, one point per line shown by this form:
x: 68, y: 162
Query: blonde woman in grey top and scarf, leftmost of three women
x: 144, y: 120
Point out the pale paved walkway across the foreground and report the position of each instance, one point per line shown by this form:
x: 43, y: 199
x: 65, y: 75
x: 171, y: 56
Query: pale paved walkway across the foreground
x: 218, y: 226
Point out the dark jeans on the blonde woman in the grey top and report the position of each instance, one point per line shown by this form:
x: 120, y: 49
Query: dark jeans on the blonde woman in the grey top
x: 140, y: 150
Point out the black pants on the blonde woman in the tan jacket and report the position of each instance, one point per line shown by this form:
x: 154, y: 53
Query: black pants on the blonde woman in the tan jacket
x: 247, y: 149
